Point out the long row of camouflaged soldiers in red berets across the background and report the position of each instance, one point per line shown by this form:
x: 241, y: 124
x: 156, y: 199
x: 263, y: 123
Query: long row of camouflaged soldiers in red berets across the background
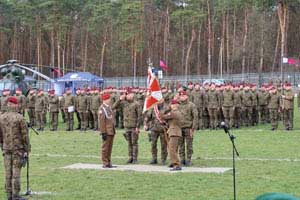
x: 237, y: 105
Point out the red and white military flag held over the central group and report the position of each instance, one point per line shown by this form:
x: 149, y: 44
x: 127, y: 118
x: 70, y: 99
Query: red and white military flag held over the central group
x: 154, y: 94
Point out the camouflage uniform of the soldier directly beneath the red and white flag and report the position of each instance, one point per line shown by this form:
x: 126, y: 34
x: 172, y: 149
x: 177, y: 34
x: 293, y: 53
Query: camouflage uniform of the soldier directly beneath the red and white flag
x: 157, y: 131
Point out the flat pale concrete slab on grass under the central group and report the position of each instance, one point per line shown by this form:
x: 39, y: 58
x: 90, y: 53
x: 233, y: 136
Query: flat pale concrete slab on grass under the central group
x: 147, y: 168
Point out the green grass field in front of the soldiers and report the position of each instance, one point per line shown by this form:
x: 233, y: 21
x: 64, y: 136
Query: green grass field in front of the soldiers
x: 260, y: 168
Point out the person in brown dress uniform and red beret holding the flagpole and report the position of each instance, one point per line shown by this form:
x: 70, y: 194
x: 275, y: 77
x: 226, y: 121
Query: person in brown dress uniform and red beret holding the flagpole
x: 173, y: 119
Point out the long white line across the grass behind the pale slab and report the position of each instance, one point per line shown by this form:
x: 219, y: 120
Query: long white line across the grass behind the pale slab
x: 200, y: 158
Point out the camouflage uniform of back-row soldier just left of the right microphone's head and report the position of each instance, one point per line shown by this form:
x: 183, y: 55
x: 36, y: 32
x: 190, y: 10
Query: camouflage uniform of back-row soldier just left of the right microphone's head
x: 213, y: 105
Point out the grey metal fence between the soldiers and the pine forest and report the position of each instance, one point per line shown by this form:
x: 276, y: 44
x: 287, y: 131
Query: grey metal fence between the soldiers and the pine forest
x: 254, y: 78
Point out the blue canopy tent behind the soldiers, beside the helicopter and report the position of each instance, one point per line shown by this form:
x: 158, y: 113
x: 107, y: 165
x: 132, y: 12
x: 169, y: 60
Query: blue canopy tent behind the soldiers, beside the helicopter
x: 77, y: 80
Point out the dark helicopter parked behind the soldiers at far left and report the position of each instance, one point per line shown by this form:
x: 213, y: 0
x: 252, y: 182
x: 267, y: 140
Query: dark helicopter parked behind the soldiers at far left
x: 14, y: 75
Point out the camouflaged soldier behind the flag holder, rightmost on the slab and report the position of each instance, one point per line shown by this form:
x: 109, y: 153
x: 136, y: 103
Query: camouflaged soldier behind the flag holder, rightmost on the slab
x: 188, y: 125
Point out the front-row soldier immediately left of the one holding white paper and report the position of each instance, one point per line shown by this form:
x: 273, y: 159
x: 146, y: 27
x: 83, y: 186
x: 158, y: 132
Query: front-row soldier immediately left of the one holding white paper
x: 53, y: 109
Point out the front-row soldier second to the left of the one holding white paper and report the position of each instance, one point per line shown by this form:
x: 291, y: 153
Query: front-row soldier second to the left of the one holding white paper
x: 40, y: 109
